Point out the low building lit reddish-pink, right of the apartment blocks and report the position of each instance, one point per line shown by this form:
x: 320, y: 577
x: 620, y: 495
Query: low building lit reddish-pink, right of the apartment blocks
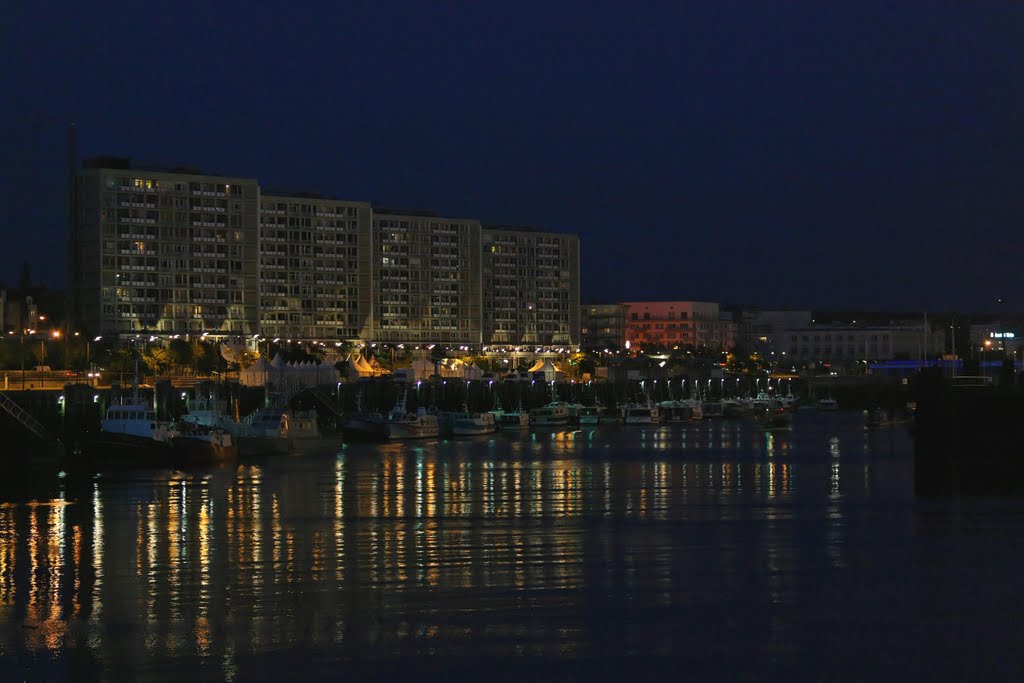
x: 677, y: 324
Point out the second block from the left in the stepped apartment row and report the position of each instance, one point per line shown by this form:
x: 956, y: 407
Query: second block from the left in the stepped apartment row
x: 315, y: 269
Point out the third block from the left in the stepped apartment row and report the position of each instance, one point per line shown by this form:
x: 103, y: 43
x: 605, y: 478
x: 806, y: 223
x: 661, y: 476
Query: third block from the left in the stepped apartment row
x: 426, y: 276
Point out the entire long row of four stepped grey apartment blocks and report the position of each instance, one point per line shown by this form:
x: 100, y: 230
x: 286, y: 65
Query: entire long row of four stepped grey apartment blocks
x: 175, y: 251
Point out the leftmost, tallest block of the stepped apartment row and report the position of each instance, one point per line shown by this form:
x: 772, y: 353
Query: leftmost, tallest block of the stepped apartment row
x: 163, y: 250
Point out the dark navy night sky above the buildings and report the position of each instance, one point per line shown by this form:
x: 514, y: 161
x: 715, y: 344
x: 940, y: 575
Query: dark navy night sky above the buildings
x: 803, y: 154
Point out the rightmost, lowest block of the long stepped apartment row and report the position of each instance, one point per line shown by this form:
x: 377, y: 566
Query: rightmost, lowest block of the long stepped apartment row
x: 531, y: 288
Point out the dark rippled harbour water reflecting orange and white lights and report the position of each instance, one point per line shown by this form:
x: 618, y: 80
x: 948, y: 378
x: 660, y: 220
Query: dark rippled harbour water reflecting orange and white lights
x: 706, y: 552
